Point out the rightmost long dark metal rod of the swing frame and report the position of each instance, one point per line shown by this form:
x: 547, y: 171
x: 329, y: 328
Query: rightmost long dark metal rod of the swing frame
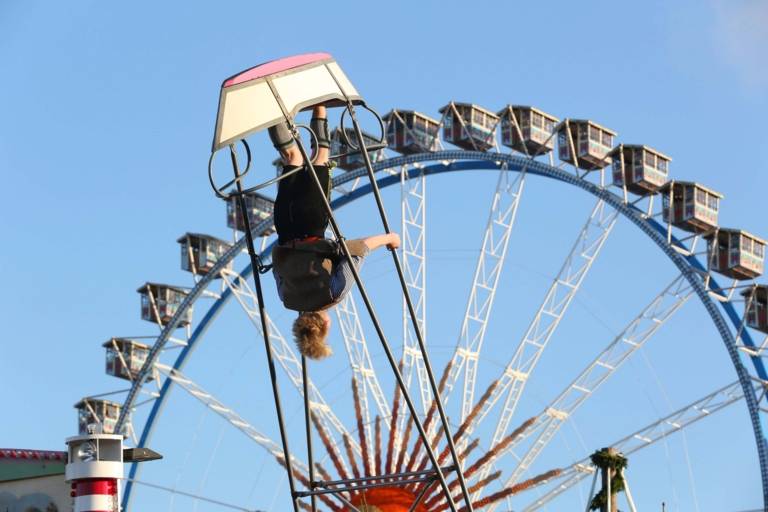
x: 414, y: 318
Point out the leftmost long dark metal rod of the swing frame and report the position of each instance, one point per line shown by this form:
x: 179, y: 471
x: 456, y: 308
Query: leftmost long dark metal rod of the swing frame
x: 264, y: 328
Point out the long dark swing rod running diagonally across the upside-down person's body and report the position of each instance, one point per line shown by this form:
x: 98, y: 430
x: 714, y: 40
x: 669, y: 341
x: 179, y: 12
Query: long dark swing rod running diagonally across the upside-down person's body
x: 374, y: 318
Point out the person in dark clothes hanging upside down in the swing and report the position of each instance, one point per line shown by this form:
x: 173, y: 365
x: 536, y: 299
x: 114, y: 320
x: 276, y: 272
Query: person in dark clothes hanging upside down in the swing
x: 311, y: 272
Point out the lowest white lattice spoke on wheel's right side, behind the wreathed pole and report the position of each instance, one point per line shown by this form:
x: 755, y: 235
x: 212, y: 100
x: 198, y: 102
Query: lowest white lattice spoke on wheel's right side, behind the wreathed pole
x: 647, y: 436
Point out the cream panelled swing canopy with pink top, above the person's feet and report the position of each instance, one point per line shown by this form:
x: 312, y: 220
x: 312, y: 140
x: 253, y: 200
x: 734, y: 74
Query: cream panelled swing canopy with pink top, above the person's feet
x: 263, y: 96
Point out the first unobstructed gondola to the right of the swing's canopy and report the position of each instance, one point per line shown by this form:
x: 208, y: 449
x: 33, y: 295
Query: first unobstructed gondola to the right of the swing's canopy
x: 410, y: 132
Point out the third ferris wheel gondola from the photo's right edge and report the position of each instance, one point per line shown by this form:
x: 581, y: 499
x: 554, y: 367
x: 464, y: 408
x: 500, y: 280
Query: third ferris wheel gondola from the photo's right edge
x: 690, y: 206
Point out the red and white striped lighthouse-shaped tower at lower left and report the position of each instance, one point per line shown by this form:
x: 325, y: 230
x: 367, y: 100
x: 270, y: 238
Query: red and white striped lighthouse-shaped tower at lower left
x: 94, y: 466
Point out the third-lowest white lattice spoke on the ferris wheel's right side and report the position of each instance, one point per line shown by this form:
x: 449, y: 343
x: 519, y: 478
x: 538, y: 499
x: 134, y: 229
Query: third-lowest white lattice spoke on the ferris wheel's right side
x: 576, y: 267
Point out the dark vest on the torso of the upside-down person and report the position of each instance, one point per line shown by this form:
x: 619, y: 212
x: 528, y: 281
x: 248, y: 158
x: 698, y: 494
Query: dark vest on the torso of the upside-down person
x: 304, y: 271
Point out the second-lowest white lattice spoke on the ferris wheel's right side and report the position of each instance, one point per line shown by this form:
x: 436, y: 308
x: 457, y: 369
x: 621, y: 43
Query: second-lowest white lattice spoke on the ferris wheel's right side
x: 632, y: 338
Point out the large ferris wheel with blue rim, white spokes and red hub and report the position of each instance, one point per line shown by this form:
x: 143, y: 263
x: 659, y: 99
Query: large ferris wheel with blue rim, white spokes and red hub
x: 504, y: 436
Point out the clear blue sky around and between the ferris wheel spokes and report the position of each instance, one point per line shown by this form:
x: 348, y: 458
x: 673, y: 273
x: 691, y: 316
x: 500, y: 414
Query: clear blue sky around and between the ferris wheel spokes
x: 107, y: 115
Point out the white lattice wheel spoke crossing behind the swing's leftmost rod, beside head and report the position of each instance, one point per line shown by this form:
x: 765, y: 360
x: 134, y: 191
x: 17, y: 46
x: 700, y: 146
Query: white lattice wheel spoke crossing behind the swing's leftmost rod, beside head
x: 288, y: 360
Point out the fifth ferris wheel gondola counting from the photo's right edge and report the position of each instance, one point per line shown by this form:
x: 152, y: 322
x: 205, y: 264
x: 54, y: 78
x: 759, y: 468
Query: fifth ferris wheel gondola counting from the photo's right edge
x: 590, y: 142
